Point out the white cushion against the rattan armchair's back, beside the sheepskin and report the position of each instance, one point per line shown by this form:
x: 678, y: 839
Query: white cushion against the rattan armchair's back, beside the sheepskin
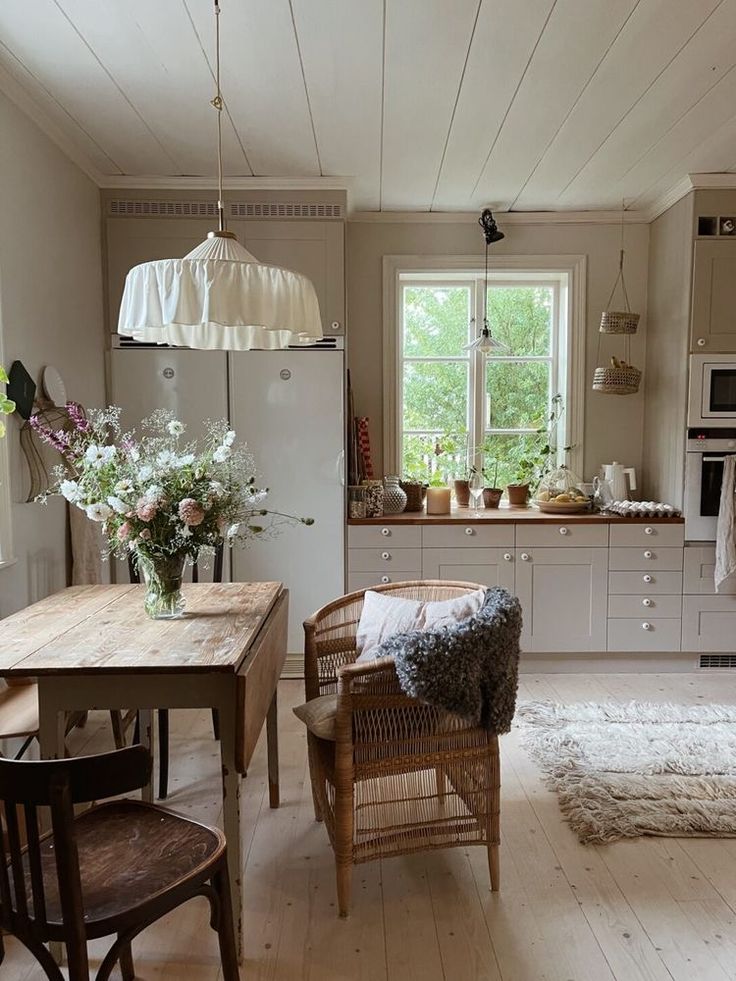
x: 383, y: 616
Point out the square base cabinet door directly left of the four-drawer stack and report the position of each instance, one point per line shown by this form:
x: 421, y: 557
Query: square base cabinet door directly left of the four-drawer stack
x: 563, y: 594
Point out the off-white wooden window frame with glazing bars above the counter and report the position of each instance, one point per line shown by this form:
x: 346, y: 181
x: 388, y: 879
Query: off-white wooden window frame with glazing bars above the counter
x: 567, y: 275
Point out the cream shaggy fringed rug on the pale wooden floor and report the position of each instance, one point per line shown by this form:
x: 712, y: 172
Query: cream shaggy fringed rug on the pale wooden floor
x: 638, y: 769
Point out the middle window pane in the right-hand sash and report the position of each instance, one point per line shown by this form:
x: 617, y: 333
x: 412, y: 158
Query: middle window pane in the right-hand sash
x: 517, y: 394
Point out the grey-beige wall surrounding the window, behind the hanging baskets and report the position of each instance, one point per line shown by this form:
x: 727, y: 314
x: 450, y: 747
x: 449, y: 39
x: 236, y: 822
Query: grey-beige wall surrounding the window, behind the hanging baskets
x: 613, y: 424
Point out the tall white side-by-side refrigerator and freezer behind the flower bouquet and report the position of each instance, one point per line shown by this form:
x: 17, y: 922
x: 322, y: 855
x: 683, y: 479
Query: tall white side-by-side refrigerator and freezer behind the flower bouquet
x: 289, y: 408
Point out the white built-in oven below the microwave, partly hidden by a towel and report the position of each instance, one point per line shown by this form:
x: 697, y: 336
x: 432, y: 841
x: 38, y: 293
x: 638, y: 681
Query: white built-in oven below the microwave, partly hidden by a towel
x: 707, y: 448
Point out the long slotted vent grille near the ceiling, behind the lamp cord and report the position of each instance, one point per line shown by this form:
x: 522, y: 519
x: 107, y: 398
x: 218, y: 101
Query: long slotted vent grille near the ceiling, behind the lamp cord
x: 122, y: 208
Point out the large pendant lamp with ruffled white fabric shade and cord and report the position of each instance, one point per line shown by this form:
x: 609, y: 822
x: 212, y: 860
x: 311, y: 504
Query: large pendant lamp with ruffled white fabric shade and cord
x: 219, y: 296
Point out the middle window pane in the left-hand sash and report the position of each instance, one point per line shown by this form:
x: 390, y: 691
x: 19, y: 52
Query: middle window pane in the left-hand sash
x: 436, y: 396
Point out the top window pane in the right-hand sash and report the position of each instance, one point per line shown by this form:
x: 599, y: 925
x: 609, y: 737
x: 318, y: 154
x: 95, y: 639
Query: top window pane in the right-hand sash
x: 520, y: 317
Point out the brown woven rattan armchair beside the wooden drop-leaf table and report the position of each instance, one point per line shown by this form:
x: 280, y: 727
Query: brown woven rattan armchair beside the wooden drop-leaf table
x: 400, y: 776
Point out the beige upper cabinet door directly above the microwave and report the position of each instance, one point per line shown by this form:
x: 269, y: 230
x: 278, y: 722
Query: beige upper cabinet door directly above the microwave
x: 714, y: 296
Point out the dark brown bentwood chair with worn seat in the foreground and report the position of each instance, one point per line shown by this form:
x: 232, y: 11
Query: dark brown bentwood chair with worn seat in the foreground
x: 113, y: 870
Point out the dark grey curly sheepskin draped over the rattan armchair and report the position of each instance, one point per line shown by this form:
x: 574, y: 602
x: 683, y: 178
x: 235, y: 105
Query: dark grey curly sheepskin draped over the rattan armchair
x: 469, y: 668
